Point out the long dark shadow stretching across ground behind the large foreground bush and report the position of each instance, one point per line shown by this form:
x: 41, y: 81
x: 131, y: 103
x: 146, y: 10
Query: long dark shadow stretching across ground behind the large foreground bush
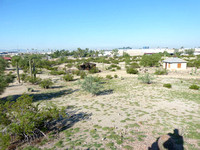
x: 40, y: 96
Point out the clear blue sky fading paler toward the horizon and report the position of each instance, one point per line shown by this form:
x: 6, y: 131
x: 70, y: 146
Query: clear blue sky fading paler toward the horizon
x: 99, y: 24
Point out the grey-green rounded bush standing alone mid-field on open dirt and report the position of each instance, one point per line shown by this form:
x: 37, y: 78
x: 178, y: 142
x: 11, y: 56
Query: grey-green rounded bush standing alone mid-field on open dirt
x: 91, y: 85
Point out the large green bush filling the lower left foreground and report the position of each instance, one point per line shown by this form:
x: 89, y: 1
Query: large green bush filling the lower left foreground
x: 26, y: 124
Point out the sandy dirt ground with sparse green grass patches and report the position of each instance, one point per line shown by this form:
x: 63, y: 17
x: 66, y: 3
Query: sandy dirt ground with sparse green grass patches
x: 127, y: 115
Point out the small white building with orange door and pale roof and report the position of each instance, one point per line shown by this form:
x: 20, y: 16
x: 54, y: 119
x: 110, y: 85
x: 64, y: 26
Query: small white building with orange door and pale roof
x: 174, y: 64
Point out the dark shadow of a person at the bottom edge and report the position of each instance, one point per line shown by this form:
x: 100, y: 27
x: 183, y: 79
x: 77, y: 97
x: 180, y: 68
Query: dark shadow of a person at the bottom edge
x: 175, y: 142
